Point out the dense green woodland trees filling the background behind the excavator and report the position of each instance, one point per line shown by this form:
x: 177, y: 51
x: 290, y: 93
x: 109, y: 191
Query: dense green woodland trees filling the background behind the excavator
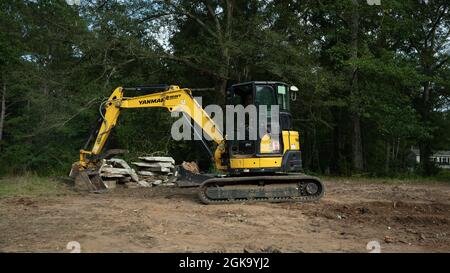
x: 58, y: 62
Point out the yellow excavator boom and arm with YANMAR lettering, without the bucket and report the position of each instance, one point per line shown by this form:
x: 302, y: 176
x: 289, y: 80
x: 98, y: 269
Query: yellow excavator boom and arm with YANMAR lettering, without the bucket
x: 174, y: 99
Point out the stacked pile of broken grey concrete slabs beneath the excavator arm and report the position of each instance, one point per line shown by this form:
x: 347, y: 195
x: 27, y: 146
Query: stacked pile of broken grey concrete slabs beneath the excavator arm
x: 151, y: 171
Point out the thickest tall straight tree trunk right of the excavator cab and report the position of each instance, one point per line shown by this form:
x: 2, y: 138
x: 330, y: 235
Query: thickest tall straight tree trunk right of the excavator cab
x: 357, y: 150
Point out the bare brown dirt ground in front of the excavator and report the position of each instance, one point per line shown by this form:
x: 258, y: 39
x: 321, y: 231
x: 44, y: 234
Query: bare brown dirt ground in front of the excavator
x: 401, y: 217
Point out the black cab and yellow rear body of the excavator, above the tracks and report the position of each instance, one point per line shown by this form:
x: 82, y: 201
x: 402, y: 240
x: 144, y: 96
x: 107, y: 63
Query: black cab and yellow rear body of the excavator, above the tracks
x: 272, y: 149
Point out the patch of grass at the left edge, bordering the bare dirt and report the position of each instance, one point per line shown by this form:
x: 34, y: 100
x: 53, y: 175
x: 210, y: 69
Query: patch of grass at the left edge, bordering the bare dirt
x: 30, y: 186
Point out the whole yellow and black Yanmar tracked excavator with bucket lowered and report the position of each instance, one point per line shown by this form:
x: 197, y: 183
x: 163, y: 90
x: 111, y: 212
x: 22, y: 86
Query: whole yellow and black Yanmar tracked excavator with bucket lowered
x: 266, y: 169
